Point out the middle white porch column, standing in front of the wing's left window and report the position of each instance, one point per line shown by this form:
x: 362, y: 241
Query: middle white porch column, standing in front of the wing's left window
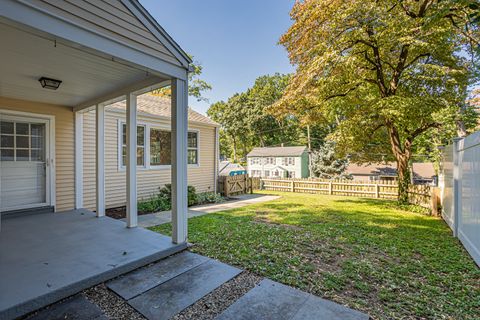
x: 131, y: 160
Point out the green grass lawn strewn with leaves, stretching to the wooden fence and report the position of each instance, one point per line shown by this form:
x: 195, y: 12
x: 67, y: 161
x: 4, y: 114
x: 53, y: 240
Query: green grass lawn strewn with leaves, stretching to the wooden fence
x: 364, y: 253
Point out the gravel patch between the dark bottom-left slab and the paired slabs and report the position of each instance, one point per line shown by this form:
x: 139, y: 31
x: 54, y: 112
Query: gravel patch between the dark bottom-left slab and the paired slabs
x: 111, y: 304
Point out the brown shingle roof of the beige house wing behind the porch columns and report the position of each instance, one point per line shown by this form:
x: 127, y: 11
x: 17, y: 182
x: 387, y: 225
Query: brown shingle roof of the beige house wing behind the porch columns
x: 149, y: 105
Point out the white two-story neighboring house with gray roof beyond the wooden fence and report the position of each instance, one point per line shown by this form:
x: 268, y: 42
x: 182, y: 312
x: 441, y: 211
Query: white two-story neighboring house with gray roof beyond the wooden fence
x: 278, y: 162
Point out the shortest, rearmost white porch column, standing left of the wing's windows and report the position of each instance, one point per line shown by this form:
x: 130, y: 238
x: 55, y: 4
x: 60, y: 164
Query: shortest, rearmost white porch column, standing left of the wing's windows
x: 100, y: 157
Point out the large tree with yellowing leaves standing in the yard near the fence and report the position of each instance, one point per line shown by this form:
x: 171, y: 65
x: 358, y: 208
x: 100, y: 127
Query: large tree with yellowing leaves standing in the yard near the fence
x: 386, y: 72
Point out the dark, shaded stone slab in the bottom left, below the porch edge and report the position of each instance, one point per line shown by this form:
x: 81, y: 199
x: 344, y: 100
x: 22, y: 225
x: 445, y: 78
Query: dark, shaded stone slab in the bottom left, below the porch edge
x: 76, y: 307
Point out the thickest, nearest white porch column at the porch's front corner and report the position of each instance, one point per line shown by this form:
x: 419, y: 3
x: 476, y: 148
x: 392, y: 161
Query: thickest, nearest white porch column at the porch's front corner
x: 179, y: 160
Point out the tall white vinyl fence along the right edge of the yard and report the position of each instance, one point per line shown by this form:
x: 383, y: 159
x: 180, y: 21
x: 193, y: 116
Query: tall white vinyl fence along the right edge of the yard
x: 461, y: 194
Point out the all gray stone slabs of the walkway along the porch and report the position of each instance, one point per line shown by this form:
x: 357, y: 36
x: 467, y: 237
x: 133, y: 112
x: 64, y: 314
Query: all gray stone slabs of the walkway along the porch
x: 166, y: 288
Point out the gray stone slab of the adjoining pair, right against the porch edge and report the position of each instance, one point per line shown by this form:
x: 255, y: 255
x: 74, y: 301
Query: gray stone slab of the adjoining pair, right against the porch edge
x: 141, y: 280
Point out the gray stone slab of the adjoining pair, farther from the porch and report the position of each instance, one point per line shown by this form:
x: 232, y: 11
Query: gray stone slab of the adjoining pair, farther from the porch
x: 171, y: 297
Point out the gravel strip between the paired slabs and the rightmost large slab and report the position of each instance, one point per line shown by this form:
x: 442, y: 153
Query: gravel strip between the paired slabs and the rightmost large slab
x: 220, y: 299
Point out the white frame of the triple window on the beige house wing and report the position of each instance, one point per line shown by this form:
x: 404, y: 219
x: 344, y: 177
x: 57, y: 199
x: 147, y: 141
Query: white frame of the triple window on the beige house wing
x: 146, y: 153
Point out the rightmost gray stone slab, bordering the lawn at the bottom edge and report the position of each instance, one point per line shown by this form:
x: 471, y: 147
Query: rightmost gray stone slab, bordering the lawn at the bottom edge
x: 272, y: 300
